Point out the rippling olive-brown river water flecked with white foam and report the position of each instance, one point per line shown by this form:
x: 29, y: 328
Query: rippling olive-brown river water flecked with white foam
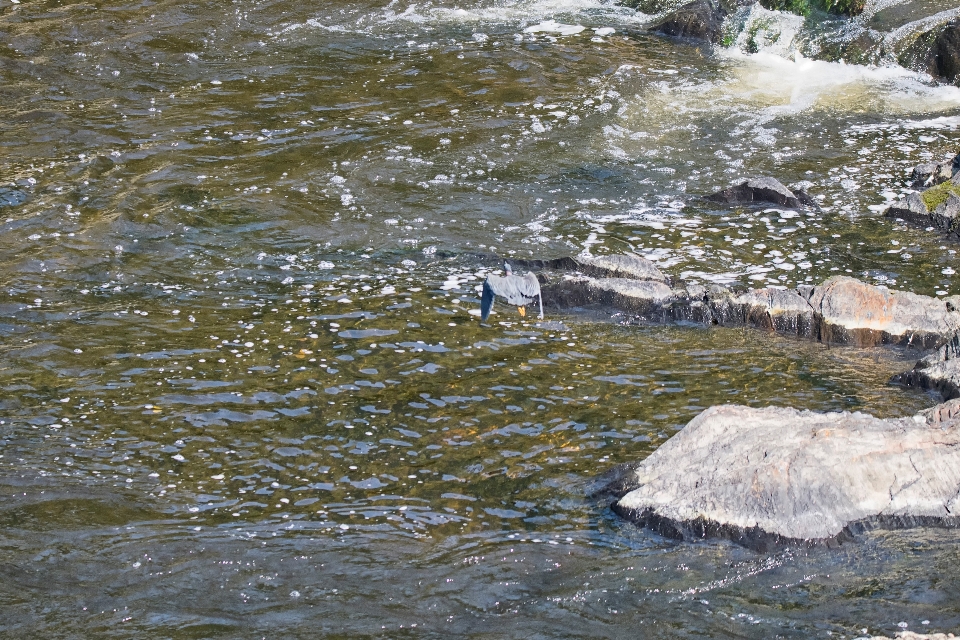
x: 243, y: 393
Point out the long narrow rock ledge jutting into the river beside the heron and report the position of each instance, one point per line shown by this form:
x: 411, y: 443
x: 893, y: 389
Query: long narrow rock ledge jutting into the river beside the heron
x: 841, y: 310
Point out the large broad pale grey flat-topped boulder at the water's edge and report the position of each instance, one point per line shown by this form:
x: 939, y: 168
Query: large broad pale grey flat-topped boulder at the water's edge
x: 766, y: 477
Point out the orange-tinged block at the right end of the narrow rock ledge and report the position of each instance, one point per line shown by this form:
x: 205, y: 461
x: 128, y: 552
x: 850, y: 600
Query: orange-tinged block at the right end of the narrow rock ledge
x: 852, y: 312
